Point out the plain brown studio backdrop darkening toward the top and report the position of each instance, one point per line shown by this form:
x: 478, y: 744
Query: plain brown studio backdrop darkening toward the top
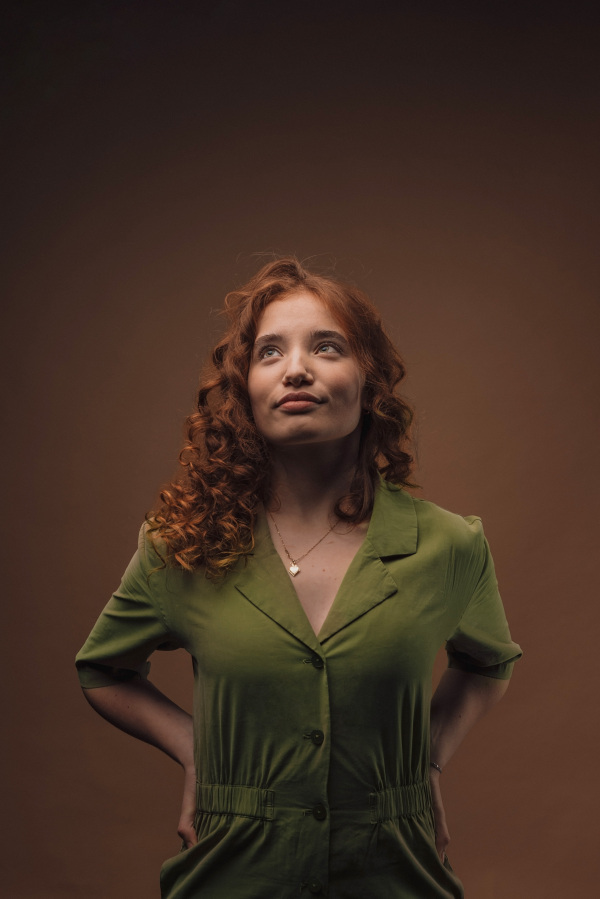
x: 445, y: 157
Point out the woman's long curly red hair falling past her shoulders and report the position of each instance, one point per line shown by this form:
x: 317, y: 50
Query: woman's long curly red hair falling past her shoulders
x: 208, y: 513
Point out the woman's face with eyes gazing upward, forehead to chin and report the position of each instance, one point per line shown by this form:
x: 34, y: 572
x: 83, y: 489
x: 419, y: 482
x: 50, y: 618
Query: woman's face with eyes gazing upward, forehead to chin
x: 304, y: 384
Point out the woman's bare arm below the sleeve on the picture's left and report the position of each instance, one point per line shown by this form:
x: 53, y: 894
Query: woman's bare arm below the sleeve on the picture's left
x: 138, y: 708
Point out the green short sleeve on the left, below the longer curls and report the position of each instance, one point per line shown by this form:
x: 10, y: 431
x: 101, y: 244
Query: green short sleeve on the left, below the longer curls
x: 130, y: 627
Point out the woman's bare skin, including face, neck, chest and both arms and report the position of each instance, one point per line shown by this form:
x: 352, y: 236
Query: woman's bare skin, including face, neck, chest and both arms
x: 314, y: 446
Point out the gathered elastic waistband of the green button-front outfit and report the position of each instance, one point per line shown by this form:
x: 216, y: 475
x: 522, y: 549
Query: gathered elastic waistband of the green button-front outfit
x: 403, y: 801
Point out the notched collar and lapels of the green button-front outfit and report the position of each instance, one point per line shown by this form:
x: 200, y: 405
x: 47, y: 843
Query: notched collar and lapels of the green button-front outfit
x: 265, y: 582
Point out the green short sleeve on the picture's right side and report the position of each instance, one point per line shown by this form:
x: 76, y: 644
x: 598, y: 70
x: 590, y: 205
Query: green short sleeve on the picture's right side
x: 481, y: 642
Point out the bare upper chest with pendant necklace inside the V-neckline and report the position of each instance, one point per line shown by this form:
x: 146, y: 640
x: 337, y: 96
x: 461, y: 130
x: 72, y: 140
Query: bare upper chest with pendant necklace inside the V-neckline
x: 323, y: 569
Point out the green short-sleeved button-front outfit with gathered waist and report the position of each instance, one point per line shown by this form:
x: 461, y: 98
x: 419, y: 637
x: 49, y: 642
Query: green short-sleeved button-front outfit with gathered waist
x: 312, y: 753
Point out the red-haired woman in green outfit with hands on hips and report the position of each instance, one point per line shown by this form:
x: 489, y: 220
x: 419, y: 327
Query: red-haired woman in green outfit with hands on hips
x: 313, y: 593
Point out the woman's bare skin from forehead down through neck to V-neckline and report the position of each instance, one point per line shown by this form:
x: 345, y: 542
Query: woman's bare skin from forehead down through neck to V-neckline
x: 301, y: 351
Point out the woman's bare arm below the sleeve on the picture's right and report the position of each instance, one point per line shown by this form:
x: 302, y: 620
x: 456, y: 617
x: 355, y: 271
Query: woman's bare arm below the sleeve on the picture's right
x: 460, y: 700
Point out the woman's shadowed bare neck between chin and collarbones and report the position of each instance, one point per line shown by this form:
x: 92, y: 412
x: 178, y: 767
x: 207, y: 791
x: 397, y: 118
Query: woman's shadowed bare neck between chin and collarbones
x: 307, y: 481
